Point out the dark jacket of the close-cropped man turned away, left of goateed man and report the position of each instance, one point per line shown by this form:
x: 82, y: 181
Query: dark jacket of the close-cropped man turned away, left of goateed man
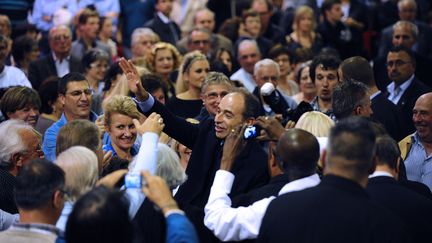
x: 388, y: 114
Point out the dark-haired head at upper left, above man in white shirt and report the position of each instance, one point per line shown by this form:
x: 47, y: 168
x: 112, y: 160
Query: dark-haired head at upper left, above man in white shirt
x: 24, y: 51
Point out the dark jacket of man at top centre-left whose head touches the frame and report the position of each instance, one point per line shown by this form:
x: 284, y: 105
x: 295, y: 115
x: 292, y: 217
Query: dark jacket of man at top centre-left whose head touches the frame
x: 164, y: 30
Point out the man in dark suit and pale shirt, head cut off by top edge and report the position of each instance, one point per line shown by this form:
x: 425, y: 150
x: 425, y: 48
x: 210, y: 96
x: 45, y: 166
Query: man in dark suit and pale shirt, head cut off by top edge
x: 162, y: 25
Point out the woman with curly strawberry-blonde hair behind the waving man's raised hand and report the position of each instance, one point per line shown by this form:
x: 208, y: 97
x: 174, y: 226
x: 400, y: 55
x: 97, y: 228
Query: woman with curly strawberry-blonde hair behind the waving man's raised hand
x: 162, y: 61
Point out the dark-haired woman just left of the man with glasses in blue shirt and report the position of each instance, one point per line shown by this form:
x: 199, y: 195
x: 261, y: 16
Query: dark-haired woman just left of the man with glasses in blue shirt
x: 51, y: 106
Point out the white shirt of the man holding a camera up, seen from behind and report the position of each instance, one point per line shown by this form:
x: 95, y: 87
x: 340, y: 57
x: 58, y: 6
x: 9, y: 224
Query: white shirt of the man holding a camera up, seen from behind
x: 234, y: 224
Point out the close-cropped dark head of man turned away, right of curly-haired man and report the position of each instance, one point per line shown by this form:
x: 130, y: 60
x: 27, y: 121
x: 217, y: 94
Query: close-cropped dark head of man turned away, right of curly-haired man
x: 357, y: 68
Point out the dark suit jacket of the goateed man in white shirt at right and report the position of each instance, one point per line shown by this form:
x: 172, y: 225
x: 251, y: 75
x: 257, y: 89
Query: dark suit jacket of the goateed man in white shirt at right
x: 407, y: 102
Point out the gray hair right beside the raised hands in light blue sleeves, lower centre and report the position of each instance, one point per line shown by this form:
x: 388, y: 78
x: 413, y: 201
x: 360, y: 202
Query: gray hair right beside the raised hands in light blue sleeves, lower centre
x: 169, y: 167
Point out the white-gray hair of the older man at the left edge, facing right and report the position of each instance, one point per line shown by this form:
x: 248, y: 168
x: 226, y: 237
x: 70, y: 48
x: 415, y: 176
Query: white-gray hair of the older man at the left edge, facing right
x: 11, y: 141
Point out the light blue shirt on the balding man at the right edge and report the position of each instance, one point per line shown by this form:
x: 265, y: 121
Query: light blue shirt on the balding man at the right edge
x: 418, y: 163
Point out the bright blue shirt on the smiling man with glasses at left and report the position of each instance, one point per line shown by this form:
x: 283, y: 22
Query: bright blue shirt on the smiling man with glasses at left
x: 50, y: 136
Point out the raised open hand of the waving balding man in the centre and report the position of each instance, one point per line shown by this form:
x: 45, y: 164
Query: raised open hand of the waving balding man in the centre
x: 133, y: 78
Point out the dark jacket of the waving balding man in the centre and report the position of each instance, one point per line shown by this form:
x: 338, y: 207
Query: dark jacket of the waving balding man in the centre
x: 250, y: 169
